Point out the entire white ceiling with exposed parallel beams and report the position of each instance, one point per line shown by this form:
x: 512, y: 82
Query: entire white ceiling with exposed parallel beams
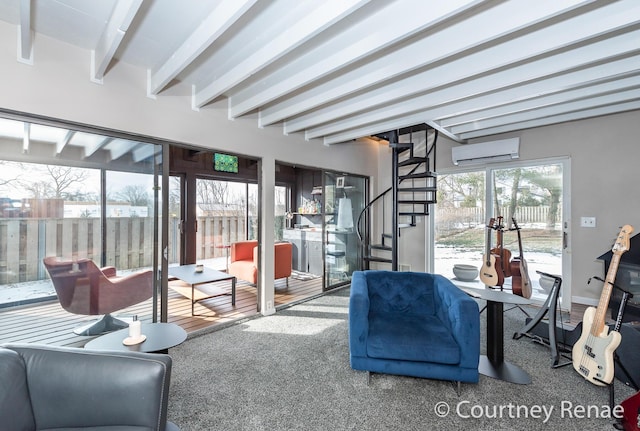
x: 339, y: 70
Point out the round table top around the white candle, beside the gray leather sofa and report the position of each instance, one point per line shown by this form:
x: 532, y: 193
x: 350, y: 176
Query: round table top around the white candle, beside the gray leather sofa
x: 160, y: 338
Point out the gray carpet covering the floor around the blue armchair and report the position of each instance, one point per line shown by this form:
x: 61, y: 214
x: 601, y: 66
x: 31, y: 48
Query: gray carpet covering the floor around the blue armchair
x: 290, y: 371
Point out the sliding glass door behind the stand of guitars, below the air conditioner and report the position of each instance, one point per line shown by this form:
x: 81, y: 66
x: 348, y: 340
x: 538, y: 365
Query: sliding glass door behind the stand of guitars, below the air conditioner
x: 528, y: 197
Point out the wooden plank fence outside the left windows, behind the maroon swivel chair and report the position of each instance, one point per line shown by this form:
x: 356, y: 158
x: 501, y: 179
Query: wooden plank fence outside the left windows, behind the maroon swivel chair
x: 24, y: 242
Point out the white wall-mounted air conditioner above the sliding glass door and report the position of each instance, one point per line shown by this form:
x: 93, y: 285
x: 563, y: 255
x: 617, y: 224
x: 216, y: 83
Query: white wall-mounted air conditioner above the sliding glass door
x: 486, y: 152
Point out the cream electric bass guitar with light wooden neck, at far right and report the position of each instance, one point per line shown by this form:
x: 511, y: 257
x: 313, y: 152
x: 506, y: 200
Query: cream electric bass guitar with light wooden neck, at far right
x: 592, y: 354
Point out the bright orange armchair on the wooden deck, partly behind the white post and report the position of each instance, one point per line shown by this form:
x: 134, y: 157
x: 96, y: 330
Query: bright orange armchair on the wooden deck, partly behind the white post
x: 243, y: 261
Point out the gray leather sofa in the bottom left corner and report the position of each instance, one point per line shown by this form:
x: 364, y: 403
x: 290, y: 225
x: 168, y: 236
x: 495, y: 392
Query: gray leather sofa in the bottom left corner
x: 56, y: 388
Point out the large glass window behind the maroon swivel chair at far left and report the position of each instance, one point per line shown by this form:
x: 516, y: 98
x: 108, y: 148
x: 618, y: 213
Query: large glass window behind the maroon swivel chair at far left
x: 72, y: 194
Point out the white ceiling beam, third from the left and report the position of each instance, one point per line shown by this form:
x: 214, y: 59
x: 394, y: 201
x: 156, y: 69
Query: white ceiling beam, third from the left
x: 214, y: 25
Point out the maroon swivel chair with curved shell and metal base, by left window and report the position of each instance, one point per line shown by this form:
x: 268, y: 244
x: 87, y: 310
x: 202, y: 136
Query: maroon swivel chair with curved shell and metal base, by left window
x: 89, y: 290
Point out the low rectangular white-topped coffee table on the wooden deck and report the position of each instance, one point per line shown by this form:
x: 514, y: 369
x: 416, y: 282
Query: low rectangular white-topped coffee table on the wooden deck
x: 191, y: 278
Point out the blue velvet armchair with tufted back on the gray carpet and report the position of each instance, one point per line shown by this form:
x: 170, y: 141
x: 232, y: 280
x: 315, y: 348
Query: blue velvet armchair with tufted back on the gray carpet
x: 413, y: 324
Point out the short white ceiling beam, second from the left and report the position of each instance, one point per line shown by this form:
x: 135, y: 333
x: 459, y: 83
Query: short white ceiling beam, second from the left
x: 114, y: 31
